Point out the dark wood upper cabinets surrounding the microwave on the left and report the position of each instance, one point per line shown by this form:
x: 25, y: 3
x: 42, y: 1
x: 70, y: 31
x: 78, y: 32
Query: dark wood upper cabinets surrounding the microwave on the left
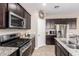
x: 15, y: 8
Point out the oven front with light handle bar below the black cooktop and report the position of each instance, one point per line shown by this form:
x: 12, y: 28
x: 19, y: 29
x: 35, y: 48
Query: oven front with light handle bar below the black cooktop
x: 26, y: 50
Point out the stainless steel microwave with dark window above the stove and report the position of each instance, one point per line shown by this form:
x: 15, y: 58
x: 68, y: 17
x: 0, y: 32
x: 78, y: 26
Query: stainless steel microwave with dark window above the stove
x: 16, y: 21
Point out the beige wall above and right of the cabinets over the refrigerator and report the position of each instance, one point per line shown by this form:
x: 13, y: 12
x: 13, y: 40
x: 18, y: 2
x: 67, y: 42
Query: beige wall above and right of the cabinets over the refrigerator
x: 72, y: 15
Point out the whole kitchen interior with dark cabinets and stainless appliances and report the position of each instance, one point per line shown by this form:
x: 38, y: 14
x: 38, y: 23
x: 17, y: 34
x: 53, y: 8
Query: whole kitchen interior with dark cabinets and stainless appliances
x: 25, y: 28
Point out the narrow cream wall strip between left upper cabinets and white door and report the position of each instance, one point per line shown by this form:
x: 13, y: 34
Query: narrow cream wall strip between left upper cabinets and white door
x: 34, y: 18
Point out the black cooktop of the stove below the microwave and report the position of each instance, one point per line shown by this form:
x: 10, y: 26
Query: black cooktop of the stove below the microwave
x: 15, y: 43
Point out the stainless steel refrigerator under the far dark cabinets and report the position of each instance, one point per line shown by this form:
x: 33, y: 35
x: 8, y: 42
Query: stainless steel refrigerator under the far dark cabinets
x: 61, y: 30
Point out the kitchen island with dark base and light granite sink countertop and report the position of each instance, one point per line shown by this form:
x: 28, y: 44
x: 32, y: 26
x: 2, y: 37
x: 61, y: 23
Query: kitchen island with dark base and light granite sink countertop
x: 63, y: 50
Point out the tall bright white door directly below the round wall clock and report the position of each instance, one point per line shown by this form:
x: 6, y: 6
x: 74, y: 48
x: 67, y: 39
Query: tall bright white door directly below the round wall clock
x: 41, y: 33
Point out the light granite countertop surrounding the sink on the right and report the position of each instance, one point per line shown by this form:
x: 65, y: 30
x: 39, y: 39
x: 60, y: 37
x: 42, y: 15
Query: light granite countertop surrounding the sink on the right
x: 73, y: 52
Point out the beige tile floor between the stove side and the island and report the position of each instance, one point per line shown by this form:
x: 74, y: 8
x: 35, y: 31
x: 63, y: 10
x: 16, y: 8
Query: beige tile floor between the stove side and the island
x: 48, y: 50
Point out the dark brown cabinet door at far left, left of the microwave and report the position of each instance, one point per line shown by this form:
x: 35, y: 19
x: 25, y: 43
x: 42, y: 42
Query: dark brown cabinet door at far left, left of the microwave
x: 3, y: 15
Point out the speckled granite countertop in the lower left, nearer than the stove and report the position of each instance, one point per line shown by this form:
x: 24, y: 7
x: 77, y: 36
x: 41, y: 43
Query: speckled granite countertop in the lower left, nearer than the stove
x: 6, y: 51
